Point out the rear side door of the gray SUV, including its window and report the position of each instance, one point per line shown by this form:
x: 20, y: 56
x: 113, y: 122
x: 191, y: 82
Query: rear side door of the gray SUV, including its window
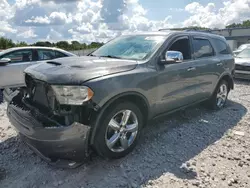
x: 207, y: 64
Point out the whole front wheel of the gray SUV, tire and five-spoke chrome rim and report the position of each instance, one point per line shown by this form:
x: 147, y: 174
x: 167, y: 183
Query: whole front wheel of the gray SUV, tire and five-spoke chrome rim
x: 105, y: 133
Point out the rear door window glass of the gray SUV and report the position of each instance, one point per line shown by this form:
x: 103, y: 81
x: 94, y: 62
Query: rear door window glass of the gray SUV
x: 202, y: 48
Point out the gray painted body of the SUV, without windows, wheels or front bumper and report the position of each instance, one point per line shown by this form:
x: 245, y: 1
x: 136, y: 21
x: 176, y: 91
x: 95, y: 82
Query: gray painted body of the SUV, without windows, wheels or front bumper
x: 164, y: 87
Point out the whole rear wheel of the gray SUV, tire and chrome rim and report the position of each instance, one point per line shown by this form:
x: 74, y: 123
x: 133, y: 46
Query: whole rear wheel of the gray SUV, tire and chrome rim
x: 213, y: 103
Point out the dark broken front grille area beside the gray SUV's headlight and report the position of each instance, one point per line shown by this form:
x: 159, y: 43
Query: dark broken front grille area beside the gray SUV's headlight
x: 40, y: 94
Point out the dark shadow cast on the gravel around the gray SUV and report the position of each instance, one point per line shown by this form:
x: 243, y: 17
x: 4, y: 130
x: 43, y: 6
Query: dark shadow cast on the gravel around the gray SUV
x: 164, y: 146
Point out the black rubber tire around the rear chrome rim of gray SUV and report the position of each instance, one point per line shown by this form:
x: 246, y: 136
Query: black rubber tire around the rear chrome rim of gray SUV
x: 212, y: 103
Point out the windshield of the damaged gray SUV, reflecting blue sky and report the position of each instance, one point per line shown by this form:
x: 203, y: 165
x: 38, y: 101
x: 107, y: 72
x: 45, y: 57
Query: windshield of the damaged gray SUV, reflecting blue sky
x: 130, y: 47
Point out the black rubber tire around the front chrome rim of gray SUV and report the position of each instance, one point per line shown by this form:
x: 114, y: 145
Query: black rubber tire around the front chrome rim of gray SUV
x: 100, y: 144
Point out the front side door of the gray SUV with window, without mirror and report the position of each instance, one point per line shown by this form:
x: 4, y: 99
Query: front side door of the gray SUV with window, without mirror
x: 177, y: 83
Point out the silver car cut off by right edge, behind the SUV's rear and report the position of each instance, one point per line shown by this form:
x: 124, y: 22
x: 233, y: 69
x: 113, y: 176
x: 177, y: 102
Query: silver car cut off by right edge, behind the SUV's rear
x: 242, y: 64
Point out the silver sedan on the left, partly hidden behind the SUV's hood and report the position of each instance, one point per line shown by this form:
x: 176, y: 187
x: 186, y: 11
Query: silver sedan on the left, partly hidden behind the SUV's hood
x: 13, y: 62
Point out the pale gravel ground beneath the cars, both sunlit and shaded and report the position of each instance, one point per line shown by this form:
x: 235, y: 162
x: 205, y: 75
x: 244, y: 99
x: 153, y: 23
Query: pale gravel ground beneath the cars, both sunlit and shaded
x: 195, y: 148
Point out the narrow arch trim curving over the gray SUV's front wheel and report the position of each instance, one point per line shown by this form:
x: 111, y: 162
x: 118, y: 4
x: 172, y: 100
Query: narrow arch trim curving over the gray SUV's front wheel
x: 103, y: 108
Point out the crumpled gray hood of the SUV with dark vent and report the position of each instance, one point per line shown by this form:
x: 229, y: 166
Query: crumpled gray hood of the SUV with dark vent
x: 76, y: 70
